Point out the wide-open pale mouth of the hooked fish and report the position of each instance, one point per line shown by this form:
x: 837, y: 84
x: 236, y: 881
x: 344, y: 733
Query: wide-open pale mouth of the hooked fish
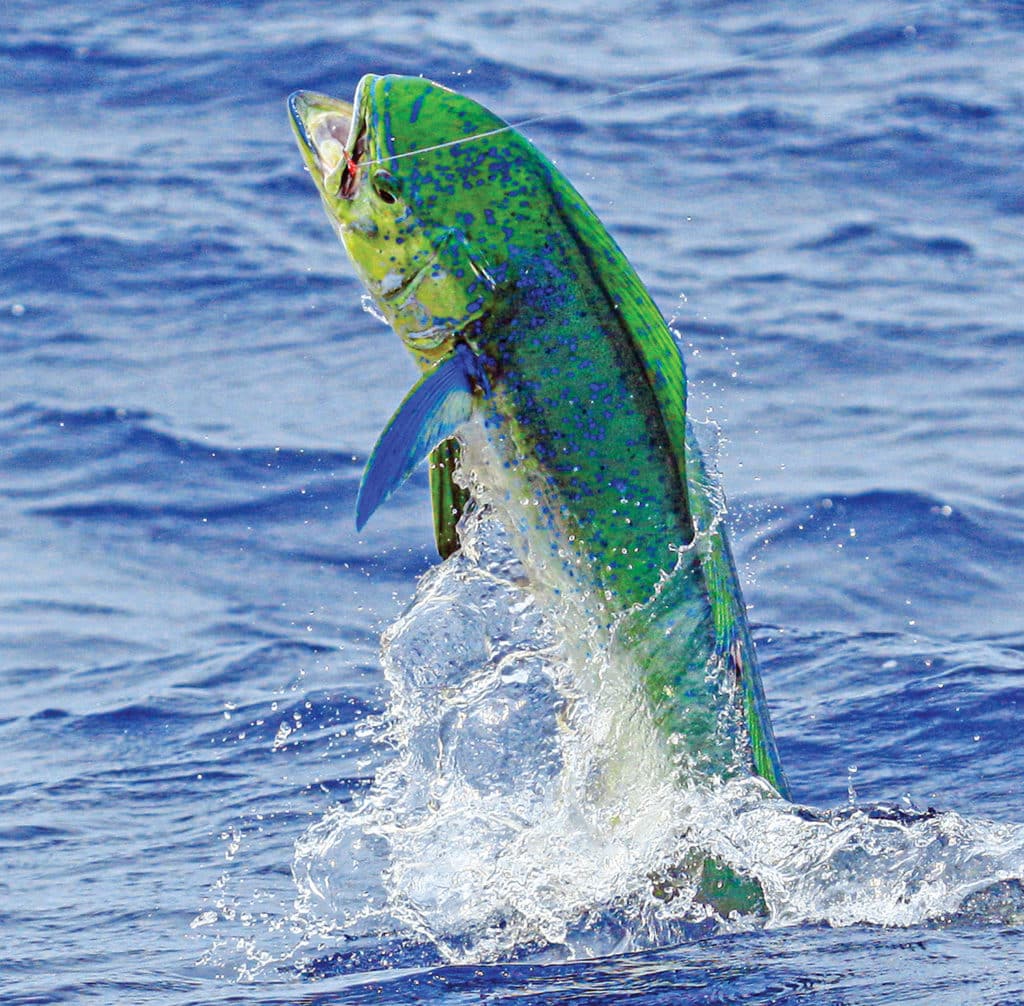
x: 331, y: 139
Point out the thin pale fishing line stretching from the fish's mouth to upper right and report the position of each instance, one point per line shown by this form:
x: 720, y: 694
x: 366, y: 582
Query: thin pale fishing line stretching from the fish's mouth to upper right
x: 818, y: 39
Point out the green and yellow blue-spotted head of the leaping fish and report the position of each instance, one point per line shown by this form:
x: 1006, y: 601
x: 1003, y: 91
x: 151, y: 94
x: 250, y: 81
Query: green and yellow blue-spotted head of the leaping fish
x: 410, y: 176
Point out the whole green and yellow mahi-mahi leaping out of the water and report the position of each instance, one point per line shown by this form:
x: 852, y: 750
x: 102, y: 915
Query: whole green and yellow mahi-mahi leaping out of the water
x: 527, y: 320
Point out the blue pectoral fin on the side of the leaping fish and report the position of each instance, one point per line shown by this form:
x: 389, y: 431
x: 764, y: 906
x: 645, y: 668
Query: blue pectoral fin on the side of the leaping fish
x: 439, y: 404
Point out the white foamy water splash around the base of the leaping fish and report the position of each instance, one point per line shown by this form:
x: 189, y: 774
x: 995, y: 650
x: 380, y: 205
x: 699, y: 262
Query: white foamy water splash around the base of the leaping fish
x: 530, y: 806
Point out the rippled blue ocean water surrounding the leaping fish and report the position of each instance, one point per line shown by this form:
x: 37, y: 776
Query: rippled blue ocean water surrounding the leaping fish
x: 209, y: 786
